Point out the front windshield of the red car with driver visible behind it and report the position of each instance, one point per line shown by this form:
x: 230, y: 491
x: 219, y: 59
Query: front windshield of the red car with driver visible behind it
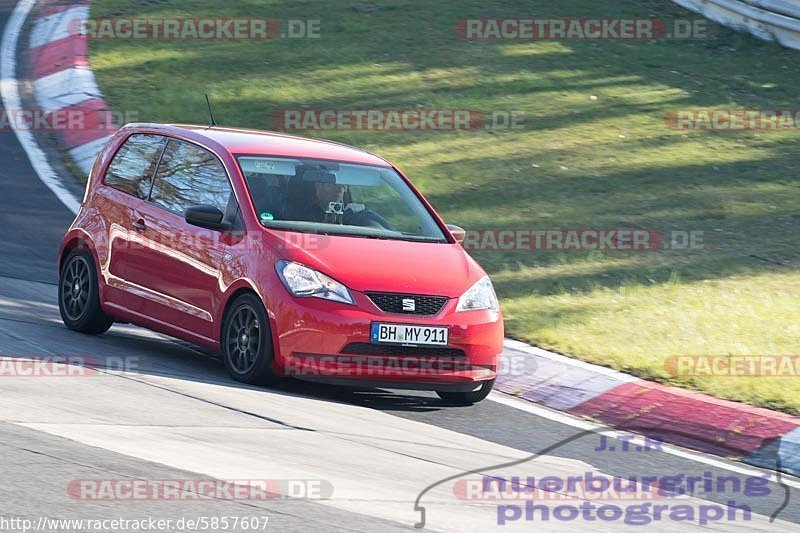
x: 334, y: 198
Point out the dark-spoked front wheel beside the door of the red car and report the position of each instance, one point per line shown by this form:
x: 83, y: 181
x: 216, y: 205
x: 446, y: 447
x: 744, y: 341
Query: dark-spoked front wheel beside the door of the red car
x: 246, y: 342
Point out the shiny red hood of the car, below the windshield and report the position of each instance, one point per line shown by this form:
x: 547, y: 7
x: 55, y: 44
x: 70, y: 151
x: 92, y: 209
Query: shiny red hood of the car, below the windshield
x: 365, y: 264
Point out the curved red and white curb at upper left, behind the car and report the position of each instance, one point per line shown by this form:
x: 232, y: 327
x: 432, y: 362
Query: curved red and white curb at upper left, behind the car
x: 64, y: 82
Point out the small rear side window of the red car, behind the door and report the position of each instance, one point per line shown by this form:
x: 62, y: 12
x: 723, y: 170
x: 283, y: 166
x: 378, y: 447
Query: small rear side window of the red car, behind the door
x: 132, y: 168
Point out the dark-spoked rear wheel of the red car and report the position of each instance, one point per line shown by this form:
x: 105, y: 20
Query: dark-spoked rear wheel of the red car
x: 79, y: 295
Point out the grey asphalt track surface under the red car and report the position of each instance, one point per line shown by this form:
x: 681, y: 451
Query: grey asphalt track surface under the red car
x: 174, y: 414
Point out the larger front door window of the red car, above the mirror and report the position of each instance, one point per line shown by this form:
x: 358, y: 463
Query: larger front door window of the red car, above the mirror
x: 188, y: 176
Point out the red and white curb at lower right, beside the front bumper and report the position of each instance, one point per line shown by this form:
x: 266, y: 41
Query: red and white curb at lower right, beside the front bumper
x: 730, y: 429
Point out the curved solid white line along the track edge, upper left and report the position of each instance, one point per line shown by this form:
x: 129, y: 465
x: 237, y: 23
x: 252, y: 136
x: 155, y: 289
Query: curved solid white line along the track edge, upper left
x: 9, y: 88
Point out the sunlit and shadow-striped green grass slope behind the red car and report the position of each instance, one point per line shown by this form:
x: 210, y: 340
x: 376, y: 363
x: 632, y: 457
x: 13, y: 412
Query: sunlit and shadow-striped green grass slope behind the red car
x: 594, y: 153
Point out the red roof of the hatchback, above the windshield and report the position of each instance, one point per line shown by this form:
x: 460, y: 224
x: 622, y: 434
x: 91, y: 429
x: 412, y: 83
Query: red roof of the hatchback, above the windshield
x: 241, y: 141
